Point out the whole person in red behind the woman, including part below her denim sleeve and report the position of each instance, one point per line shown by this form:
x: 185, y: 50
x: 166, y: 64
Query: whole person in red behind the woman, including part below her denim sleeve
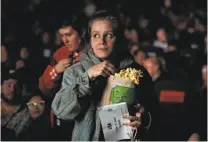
x: 50, y: 82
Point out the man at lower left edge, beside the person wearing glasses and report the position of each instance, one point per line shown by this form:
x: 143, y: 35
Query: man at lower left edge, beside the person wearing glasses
x: 14, y: 115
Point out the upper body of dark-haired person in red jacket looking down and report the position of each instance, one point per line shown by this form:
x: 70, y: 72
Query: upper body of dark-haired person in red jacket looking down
x: 50, y: 81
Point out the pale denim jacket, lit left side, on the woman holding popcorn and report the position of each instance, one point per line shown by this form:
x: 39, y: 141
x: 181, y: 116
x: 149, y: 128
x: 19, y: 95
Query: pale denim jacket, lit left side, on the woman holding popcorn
x: 77, y: 99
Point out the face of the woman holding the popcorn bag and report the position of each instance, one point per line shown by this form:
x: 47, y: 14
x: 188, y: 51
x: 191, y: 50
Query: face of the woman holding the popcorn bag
x: 102, y: 38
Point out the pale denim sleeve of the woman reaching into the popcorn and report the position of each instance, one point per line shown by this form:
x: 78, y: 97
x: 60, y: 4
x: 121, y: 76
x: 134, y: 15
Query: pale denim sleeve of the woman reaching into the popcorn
x: 66, y: 104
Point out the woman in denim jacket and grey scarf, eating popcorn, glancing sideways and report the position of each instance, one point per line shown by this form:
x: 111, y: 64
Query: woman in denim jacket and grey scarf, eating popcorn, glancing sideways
x: 83, y: 83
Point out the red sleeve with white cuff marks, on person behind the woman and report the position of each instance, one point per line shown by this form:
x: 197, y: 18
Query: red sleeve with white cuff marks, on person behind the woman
x: 49, y: 82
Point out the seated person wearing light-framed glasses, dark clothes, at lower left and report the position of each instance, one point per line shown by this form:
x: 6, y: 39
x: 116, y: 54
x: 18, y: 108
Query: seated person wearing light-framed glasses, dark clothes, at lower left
x: 40, y: 126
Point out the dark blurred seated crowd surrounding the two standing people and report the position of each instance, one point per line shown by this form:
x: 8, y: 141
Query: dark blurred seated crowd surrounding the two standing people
x: 168, y: 38
